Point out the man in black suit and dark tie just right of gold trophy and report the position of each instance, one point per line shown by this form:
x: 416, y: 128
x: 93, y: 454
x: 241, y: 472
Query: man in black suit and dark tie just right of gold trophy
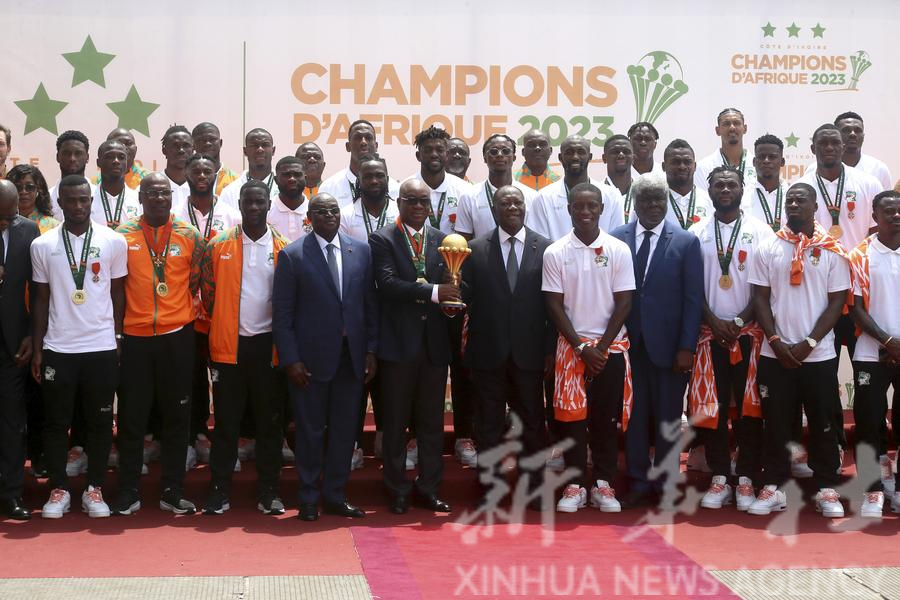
x: 510, y: 343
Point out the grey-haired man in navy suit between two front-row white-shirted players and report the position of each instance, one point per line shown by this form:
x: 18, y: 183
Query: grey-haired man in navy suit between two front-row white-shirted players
x: 664, y: 325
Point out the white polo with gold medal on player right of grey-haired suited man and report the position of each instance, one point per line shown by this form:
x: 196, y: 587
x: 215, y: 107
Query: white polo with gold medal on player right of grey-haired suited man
x: 727, y: 304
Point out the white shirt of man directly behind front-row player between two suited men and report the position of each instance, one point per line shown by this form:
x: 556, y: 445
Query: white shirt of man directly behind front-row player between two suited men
x: 549, y: 212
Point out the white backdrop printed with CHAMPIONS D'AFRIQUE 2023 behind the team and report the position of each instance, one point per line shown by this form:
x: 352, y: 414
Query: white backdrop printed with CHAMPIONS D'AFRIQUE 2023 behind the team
x: 303, y: 70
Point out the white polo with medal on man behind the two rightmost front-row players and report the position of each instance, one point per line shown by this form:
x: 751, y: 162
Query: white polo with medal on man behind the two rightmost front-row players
x: 859, y: 188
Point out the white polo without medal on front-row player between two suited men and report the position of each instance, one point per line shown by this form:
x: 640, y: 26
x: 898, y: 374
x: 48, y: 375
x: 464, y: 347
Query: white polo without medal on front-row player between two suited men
x: 588, y: 279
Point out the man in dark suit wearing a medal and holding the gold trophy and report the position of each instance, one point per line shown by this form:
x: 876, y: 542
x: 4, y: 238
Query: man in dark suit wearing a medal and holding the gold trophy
x: 413, y: 345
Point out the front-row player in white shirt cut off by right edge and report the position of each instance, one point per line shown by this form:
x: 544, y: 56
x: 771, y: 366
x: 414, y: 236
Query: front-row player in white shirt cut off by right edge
x: 876, y: 361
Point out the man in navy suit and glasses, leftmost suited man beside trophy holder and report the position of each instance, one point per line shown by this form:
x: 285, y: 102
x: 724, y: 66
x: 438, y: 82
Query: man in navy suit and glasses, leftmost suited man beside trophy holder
x: 325, y: 314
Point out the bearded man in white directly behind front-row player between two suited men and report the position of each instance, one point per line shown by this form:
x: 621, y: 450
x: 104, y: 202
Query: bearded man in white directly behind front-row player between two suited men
x: 550, y: 211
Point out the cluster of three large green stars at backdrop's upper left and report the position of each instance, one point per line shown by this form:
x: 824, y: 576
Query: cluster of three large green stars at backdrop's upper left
x: 88, y: 64
